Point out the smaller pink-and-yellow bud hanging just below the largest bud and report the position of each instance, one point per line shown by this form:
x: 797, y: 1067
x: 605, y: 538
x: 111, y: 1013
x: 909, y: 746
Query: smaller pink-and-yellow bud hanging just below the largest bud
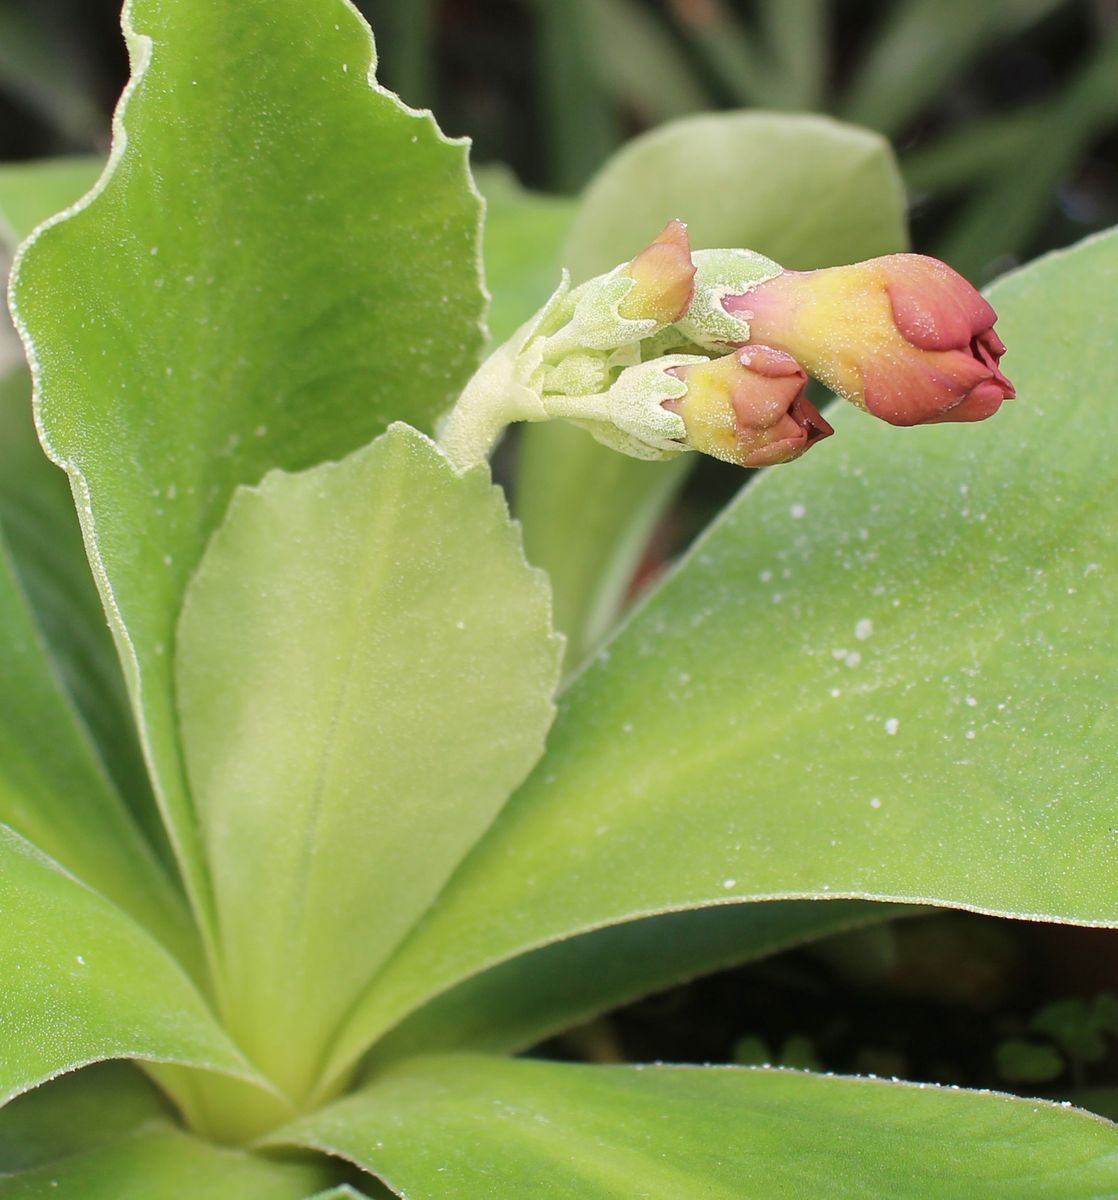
x: 749, y: 407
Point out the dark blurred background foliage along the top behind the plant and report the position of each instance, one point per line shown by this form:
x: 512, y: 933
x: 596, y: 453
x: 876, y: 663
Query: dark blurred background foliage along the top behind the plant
x: 1005, y: 112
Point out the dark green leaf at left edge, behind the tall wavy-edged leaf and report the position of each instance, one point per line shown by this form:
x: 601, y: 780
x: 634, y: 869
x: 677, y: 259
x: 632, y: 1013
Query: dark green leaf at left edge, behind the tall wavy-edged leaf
x: 45, y: 539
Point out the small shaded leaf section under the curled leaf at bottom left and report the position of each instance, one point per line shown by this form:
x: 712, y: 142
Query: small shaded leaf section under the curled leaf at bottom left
x: 76, y: 1114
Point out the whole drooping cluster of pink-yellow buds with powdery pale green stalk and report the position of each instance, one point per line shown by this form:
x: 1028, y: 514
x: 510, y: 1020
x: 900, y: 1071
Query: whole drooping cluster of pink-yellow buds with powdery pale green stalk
x: 712, y: 351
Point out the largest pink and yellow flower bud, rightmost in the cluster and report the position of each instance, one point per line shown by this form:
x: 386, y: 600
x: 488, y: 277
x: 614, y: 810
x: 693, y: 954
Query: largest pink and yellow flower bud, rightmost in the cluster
x: 904, y: 337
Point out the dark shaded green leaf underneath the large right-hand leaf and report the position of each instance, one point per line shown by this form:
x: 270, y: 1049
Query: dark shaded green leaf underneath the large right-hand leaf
x: 543, y: 993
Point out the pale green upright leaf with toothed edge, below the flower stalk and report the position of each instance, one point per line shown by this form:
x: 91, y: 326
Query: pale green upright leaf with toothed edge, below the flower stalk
x: 365, y: 674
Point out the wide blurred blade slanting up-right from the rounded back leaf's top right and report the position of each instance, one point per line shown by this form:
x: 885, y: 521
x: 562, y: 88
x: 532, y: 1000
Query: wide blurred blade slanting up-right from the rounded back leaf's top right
x: 922, y: 46
